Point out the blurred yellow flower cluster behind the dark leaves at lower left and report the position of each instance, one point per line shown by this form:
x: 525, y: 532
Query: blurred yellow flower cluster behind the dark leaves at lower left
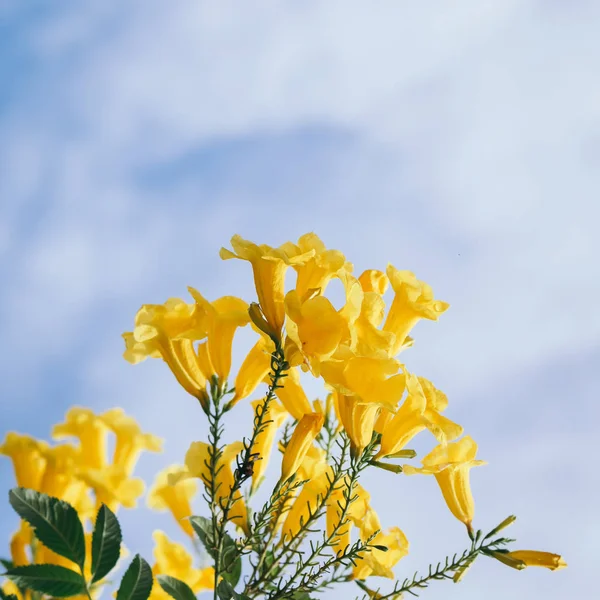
x: 78, y: 471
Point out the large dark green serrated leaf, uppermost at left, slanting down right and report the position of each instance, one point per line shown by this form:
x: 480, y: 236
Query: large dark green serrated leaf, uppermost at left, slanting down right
x: 55, y: 522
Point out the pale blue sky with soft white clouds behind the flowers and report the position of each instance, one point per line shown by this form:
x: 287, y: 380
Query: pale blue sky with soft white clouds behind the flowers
x: 460, y: 142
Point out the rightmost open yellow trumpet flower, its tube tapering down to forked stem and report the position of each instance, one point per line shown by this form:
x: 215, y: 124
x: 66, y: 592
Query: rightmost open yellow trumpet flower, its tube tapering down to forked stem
x: 451, y: 464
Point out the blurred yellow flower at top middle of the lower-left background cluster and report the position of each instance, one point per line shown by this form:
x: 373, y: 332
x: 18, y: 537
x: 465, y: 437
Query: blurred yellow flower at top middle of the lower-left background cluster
x: 90, y: 430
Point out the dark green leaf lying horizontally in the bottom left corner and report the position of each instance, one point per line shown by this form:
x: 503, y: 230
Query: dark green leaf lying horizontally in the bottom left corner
x: 53, y: 580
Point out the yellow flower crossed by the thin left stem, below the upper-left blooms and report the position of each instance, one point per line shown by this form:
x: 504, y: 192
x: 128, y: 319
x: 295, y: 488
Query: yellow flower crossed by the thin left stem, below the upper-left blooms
x: 197, y: 460
